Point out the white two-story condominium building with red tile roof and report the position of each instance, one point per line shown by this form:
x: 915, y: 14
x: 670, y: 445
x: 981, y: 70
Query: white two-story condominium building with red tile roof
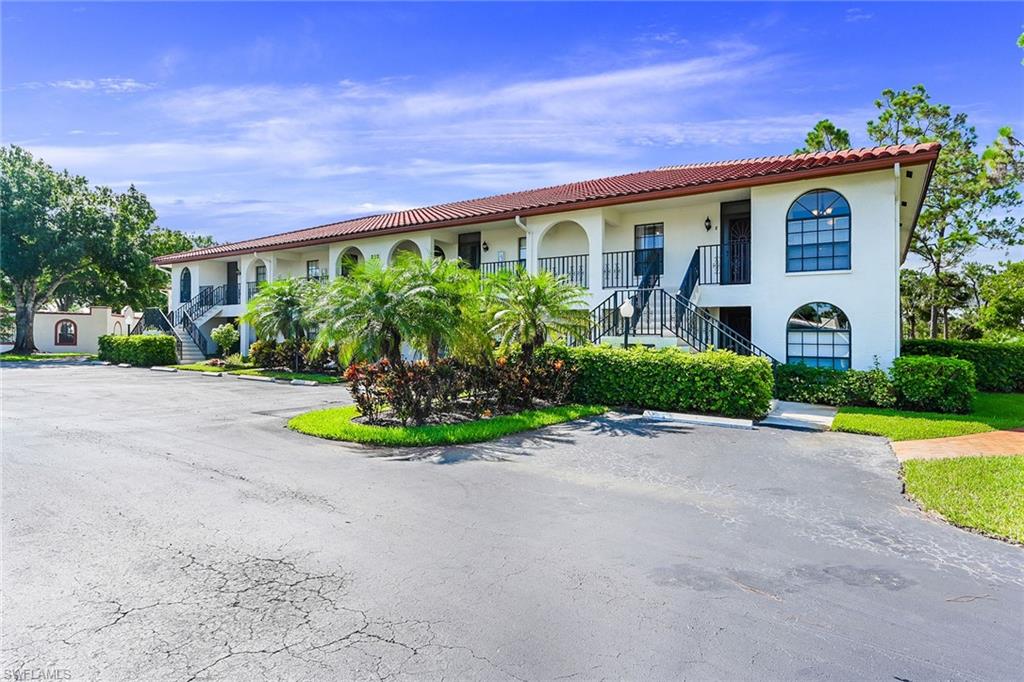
x: 795, y: 258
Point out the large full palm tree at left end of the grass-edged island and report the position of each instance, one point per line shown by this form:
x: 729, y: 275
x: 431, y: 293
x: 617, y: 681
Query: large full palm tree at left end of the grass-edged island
x: 370, y: 314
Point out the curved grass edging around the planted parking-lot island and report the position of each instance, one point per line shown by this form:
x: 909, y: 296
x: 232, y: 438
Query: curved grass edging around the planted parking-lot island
x: 336, y: 424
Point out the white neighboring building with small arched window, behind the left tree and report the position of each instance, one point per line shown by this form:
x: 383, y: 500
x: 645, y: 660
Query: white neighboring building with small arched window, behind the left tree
x: 62, y: 332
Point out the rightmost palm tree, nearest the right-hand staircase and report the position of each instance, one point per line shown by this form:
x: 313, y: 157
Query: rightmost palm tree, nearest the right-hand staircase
x: 528, y: 310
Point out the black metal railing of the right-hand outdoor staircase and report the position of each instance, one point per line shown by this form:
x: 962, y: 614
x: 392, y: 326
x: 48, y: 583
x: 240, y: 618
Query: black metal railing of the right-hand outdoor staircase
x: 656, y: 311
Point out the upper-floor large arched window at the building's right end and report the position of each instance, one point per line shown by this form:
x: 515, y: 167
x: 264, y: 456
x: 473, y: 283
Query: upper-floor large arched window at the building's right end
x: 818, y: 233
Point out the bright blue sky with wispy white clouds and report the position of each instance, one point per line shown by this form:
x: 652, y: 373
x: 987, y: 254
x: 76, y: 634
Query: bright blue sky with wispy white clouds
x: 240, y: 120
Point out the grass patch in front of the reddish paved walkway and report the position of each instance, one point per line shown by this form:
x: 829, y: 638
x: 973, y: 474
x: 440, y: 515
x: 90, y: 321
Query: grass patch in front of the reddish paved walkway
x: 982, y: 493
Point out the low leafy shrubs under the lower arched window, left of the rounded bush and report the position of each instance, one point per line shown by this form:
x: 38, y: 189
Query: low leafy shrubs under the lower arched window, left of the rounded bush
x: 871, y: 389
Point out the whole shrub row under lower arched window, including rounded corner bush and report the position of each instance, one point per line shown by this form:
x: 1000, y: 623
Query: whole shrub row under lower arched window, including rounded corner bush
x: 922, y: 382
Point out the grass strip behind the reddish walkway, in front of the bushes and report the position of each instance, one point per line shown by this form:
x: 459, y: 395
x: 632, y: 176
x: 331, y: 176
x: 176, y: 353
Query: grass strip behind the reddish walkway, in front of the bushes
x: 993, y: 412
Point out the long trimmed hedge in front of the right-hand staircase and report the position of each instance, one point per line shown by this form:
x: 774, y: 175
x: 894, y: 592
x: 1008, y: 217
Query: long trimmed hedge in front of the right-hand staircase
x: 716, y: 382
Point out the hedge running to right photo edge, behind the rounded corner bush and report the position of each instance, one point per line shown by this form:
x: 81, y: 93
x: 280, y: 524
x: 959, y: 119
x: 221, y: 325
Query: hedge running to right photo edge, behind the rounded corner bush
x: 1000, y: 367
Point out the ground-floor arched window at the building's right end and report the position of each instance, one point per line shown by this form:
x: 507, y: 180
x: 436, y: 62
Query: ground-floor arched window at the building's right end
x: 819, y: 335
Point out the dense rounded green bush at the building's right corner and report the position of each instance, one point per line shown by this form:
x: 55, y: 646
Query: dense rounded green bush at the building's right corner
x: 934, y: 385
